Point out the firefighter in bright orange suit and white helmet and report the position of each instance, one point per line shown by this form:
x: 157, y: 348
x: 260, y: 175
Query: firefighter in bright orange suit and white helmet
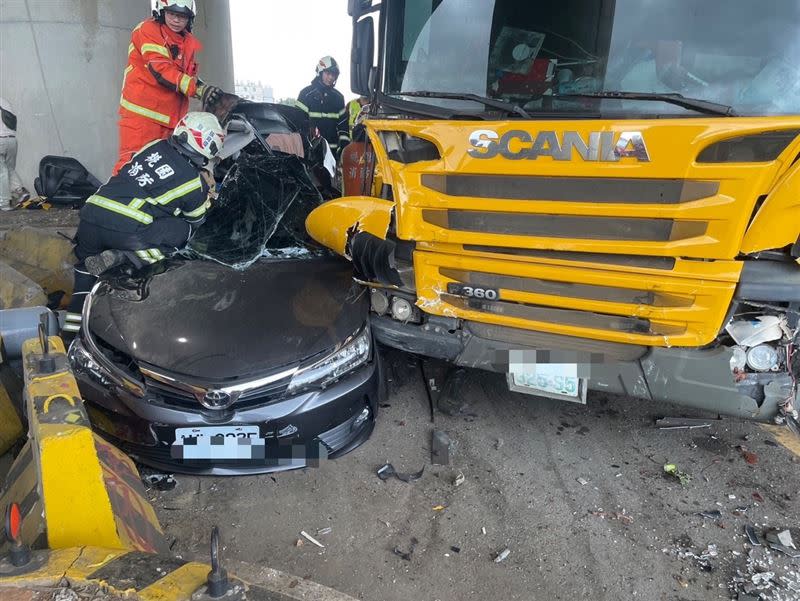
x: 160, y: 78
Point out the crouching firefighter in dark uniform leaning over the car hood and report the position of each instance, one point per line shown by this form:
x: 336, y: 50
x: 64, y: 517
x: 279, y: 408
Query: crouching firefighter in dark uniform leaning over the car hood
x: 148, y: 210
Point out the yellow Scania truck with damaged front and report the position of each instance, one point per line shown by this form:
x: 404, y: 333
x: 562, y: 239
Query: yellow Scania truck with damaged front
x: 584, y: 194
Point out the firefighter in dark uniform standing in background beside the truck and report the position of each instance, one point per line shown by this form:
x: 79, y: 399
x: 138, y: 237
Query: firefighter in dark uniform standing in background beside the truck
x: 325, y: 105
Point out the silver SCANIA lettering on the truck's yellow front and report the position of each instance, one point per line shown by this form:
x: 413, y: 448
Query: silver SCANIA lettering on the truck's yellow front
x: 599, y: 146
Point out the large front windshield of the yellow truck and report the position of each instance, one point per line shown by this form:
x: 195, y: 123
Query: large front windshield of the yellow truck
x: 559, y: 56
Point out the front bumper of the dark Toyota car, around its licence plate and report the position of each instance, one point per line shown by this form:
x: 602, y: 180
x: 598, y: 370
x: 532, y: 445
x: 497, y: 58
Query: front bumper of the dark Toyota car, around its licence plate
x: 298, y: 431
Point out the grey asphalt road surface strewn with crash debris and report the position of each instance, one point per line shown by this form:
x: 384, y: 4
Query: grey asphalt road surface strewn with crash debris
x: 576, y: 494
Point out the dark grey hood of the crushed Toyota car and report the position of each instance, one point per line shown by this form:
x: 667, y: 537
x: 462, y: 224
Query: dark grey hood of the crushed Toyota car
x: 209, y: 322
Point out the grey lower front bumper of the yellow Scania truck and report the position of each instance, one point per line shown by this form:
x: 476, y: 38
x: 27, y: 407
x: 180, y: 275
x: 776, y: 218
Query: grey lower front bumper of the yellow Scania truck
x: 697, y: 378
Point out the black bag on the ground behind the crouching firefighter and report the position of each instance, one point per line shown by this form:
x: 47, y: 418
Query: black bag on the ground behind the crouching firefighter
x: 64, y: 181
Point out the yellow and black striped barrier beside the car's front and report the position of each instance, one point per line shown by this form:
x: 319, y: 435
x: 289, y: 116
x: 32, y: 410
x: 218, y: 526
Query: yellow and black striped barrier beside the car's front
x: 89, y: 491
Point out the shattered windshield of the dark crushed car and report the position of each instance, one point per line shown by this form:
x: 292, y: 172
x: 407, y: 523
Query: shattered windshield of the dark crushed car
x: 260, y: 213
